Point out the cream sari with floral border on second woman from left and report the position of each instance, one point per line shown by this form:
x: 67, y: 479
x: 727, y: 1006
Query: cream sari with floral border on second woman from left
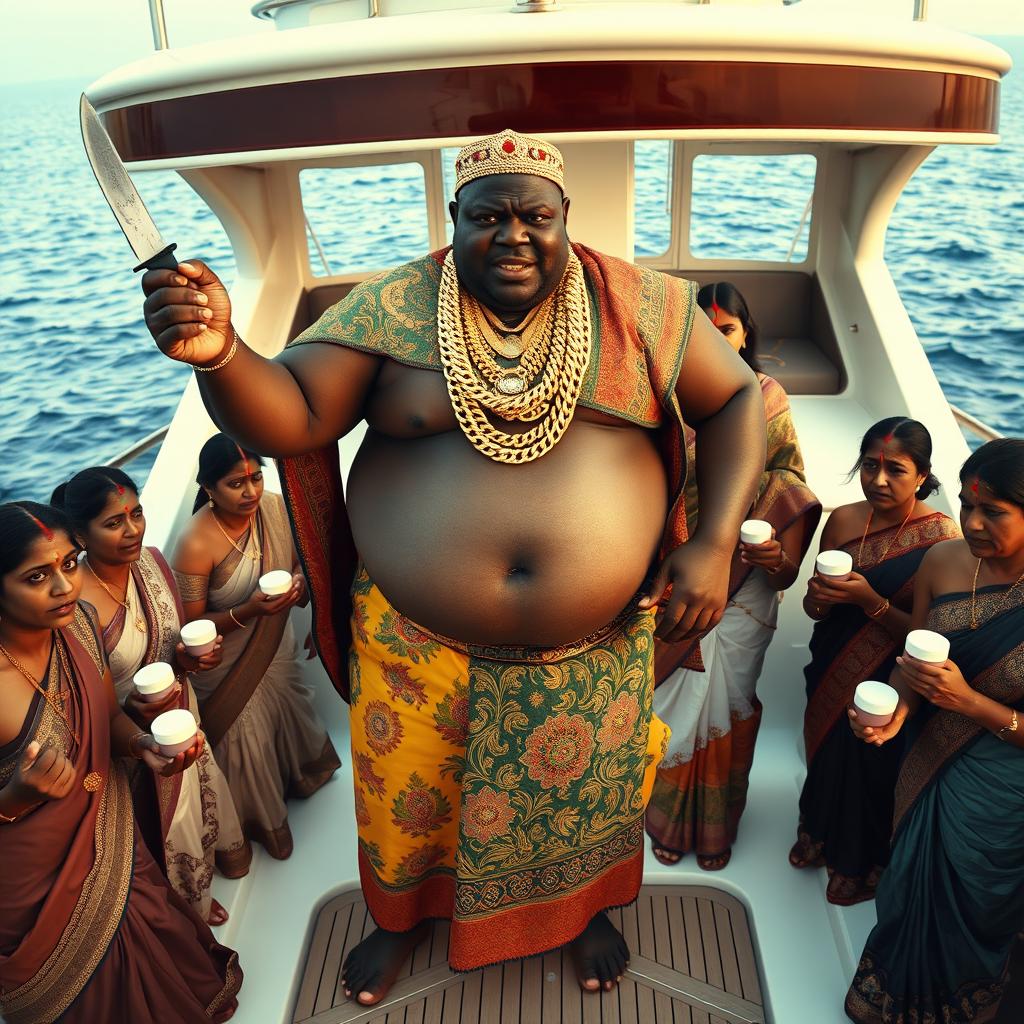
x: 198, y: 823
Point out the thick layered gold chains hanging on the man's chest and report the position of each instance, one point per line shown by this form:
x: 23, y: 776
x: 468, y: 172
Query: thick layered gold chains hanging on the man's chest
x: 549, y: 403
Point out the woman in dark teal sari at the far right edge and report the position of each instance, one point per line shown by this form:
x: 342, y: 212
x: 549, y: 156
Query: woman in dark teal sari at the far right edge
x: 952, y: 901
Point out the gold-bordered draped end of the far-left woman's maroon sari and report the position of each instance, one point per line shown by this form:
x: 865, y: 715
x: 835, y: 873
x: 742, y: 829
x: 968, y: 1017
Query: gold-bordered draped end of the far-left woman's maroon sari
x: 64, y: 904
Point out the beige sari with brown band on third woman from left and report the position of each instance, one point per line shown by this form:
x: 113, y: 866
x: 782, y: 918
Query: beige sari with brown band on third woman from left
x: 258, y: 714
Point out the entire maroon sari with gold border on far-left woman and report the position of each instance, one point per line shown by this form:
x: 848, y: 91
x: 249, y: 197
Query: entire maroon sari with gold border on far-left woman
x: 90, y: 930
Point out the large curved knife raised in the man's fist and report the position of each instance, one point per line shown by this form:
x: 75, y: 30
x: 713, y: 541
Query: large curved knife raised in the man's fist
x: 125, y: 203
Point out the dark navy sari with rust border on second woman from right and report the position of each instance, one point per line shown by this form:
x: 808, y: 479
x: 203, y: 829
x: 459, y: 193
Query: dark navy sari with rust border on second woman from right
x: 846, y: 804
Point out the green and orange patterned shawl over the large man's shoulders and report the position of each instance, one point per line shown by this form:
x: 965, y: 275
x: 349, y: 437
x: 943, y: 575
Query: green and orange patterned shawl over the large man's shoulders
x: 642, y: 322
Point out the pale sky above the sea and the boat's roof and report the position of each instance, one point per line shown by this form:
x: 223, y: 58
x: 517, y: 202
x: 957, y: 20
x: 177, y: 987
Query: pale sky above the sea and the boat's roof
x: 71, y: 39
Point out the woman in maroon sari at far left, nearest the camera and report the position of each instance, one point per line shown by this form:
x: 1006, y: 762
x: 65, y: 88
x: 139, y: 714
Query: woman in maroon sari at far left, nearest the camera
x: 90, y: 929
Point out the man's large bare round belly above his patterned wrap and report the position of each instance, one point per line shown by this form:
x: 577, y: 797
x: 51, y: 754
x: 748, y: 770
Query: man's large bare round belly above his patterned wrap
x: 540, y: 554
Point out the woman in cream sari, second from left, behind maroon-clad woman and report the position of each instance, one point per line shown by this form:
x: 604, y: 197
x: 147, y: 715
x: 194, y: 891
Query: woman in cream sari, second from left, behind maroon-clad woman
x: 135, y: 594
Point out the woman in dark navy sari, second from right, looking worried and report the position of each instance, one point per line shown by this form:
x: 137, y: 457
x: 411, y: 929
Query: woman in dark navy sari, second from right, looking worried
x: 847, y: 801
